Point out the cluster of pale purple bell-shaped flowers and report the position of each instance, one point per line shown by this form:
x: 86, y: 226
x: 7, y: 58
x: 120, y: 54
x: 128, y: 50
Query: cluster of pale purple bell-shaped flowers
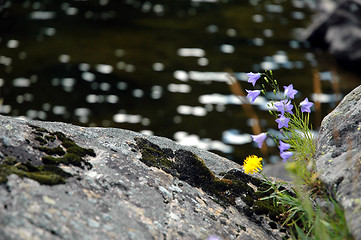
x: 284, y: 110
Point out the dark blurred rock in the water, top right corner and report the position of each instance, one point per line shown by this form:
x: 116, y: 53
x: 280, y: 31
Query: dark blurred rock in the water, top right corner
x: 337, y: 28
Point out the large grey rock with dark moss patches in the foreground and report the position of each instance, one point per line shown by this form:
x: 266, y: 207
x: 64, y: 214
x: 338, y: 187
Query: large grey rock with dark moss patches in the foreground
x: 60, y: 181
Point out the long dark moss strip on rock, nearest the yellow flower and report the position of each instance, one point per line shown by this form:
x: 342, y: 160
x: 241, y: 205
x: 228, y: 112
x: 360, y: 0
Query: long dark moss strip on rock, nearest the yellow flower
x: 234, y: 184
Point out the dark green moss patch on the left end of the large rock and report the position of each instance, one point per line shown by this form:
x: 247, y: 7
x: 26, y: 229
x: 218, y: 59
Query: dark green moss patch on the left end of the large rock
x: 58, y: 149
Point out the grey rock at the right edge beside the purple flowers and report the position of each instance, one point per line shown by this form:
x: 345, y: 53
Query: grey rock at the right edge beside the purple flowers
x: 338, y: 157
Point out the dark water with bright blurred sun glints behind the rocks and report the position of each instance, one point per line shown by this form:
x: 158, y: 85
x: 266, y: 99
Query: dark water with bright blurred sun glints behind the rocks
x: 158, y: 67
